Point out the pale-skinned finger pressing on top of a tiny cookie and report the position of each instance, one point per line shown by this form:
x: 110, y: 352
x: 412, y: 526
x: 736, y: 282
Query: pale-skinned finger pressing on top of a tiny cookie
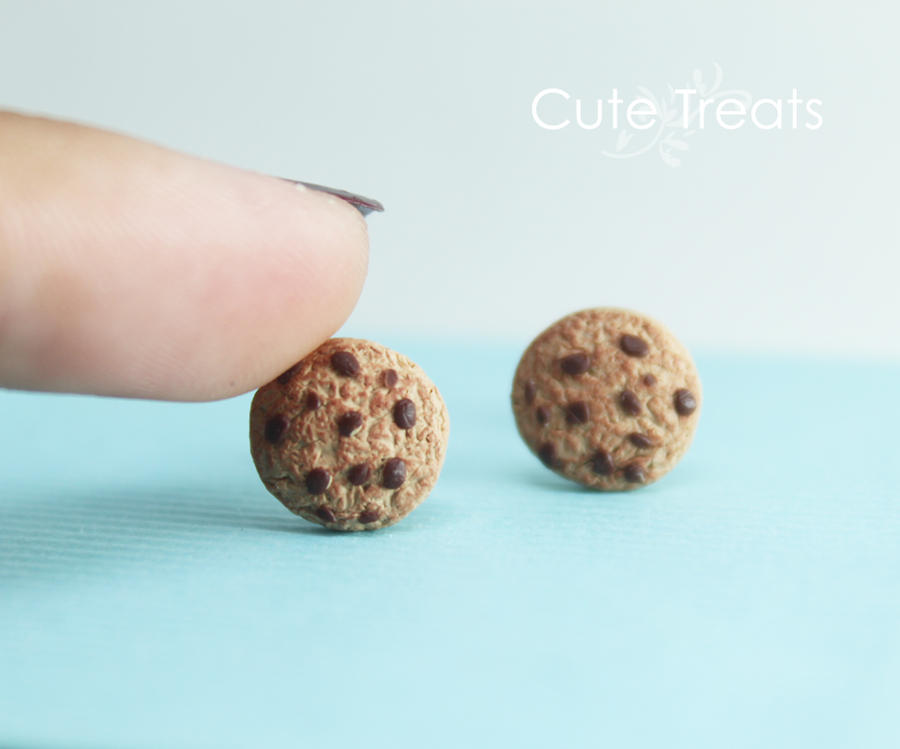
x: 131, y: 270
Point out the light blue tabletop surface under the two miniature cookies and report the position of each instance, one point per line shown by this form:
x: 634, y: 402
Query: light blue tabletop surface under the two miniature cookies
x: 154, y: 594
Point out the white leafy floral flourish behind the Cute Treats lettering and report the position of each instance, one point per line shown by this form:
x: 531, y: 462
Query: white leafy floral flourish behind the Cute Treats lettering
x: 670, y: 134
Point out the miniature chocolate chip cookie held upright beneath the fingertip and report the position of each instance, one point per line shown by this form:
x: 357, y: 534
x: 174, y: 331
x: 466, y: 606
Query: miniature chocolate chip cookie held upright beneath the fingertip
x: 353, y: 437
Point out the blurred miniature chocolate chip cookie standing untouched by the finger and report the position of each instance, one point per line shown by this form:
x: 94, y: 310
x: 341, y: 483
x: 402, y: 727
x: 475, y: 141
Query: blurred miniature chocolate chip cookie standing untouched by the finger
x: 608, y: 398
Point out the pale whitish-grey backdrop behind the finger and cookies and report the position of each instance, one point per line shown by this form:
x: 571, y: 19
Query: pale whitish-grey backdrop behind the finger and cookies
x: 777, y: 241
